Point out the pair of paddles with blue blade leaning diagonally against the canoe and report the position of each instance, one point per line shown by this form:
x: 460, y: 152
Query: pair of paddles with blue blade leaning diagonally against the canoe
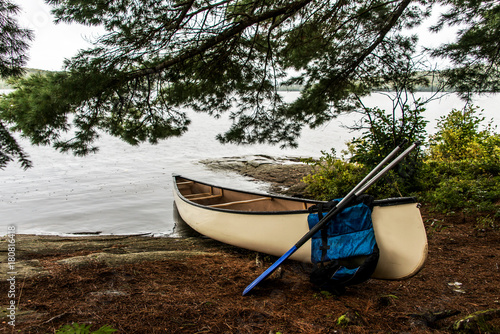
x: 358, y: 190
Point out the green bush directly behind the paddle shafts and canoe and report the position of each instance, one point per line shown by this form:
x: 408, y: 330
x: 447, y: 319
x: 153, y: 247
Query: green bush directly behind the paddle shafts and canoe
x: 335, y: 177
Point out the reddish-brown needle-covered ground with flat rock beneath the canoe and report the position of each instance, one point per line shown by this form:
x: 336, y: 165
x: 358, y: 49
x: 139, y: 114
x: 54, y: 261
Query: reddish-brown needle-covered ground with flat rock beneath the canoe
x: 194, y: 285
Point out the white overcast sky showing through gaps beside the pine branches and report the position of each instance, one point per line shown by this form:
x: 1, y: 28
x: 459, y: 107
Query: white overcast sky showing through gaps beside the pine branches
x: 55, y: 42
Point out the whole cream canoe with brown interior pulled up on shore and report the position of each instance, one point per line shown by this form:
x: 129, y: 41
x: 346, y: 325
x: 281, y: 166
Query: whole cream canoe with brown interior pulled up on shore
x: 273, y: 224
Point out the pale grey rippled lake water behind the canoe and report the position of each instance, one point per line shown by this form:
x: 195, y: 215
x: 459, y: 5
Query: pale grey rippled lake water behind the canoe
x: 128, y: 190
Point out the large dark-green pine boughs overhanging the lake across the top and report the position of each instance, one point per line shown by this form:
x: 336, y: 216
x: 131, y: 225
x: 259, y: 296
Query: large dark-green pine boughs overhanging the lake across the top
x: 159, y: 57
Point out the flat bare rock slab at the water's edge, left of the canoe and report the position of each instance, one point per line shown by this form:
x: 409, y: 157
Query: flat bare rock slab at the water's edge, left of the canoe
x: 109, y: 250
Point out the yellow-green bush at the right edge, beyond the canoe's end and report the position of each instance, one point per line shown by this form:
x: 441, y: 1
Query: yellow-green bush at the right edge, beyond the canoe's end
x: 461, y: 171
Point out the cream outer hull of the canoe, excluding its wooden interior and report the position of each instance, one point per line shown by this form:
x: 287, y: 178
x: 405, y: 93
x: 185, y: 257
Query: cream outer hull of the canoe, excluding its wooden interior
x: 399, y: 231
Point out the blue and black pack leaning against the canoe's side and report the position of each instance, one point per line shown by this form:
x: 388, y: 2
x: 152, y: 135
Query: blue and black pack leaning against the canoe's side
x: 345, y: 247
